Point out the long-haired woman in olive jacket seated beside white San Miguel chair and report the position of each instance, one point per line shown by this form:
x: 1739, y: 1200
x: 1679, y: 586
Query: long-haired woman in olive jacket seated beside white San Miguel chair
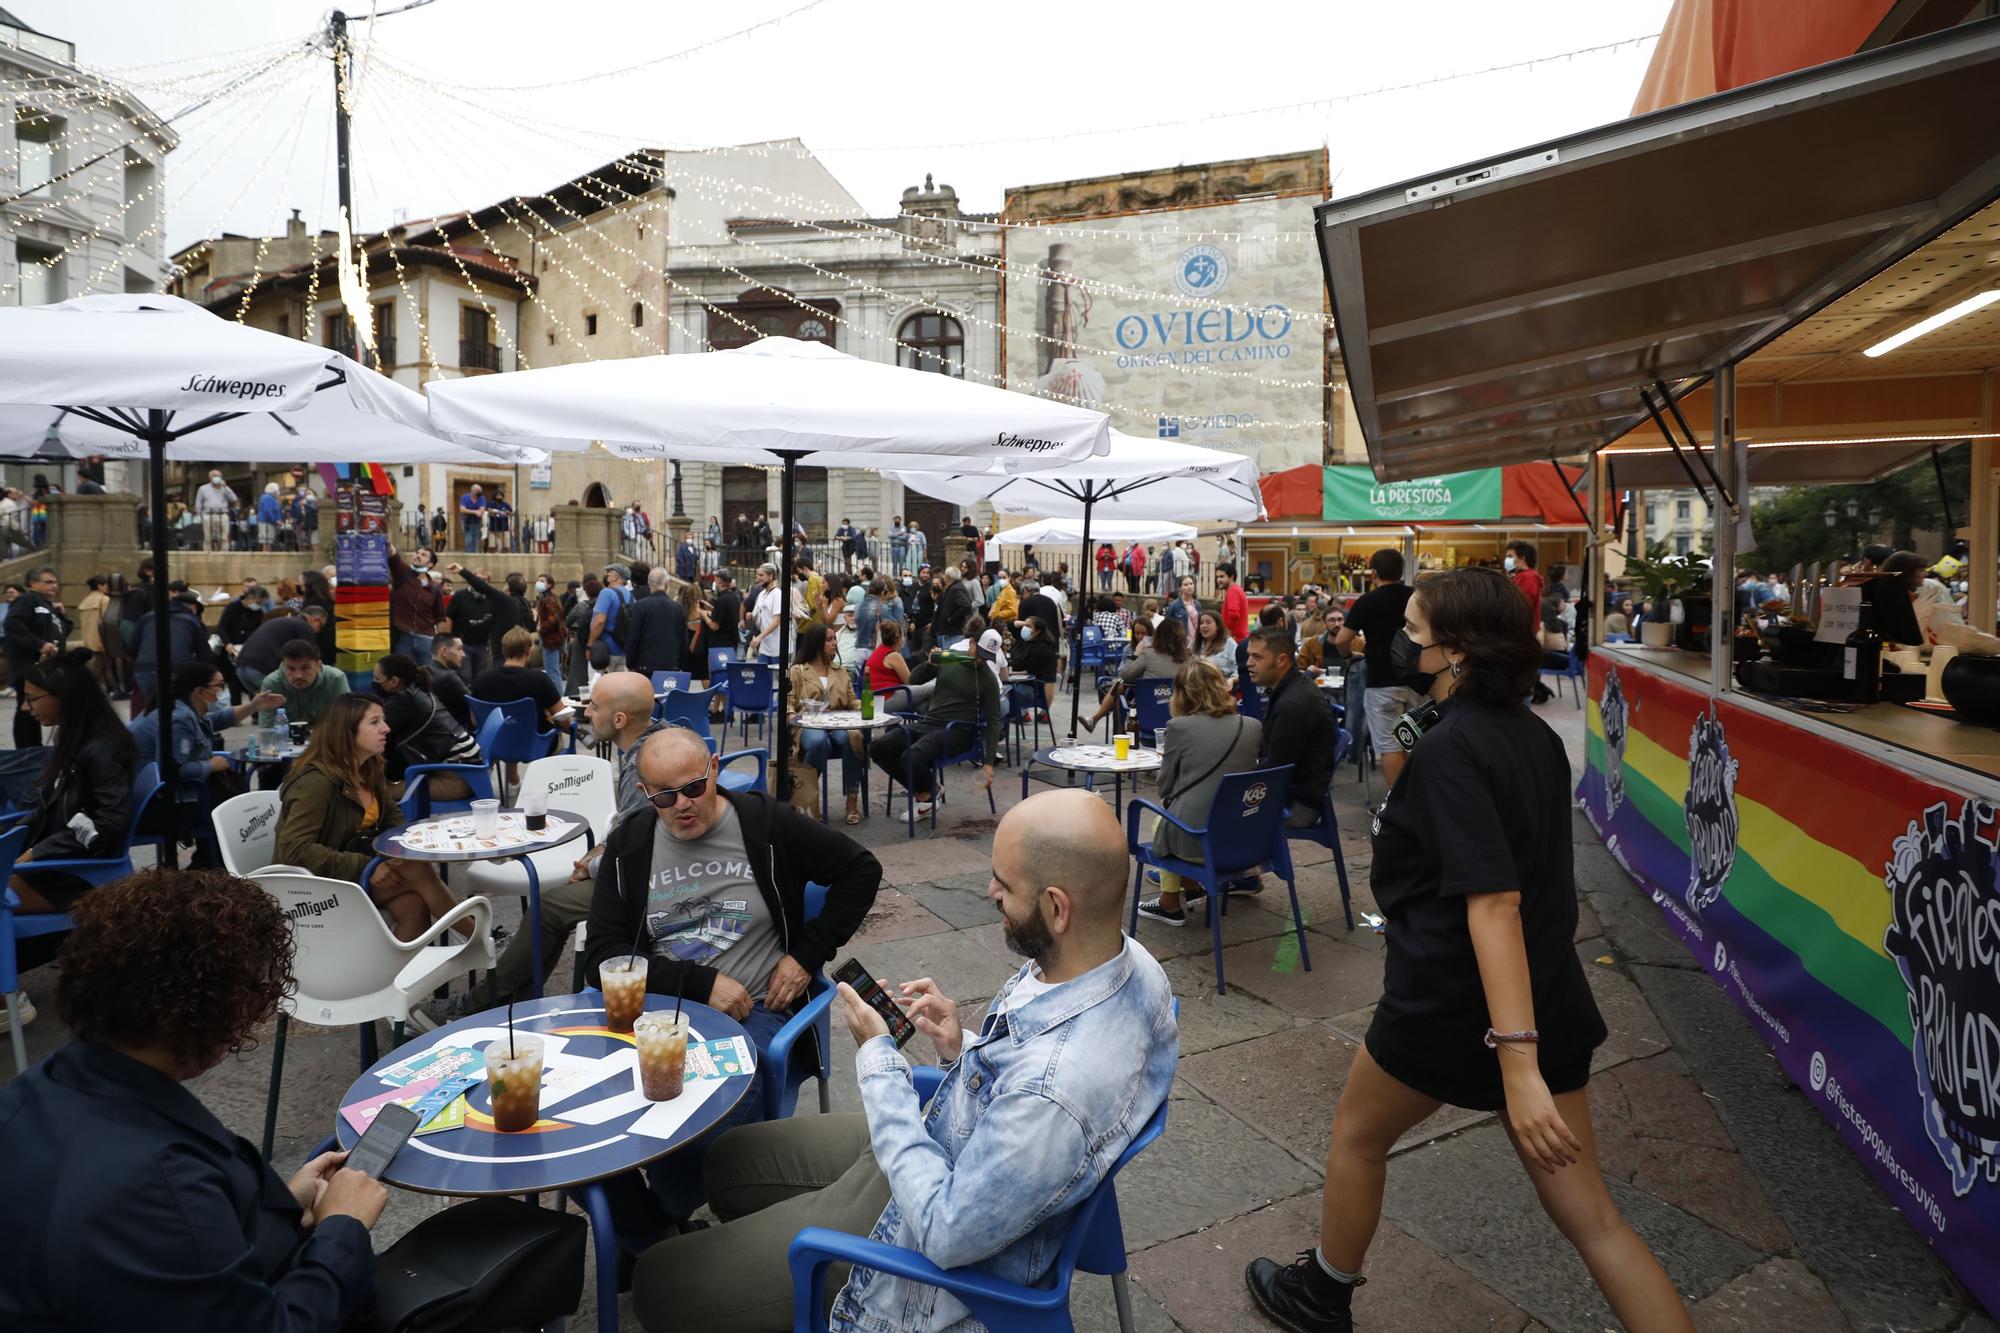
x: 337, y: 802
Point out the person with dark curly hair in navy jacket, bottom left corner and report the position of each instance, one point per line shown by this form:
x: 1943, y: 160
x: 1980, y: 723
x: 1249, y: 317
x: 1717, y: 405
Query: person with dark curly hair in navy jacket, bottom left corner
x: 127, y: 1204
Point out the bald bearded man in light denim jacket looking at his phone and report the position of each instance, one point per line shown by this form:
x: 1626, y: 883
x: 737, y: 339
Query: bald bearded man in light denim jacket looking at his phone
x: 1071, y: 1062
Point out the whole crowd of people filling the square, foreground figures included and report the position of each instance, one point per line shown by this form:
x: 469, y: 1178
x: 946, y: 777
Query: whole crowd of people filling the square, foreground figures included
x: 1485, y: 1004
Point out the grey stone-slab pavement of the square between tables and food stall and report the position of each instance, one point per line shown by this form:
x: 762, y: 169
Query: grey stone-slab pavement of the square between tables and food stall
x: 1761, y: 1216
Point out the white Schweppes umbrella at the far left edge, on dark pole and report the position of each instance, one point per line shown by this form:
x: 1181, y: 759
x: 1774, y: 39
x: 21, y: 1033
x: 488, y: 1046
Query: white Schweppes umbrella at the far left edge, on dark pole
x: 149, y: 377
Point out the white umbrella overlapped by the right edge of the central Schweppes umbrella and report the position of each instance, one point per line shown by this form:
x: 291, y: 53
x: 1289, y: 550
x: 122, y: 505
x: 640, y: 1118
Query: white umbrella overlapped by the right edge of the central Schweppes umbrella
x: 1135, y: 479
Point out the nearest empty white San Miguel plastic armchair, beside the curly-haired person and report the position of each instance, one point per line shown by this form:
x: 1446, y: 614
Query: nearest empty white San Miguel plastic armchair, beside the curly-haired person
x: 353, y: 972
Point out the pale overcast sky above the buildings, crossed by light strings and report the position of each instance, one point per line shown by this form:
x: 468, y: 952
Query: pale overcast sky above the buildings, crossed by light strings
x: 881, y: 93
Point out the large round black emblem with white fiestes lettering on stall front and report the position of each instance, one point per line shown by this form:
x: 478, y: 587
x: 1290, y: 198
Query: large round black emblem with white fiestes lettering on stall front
x: 1945, y: 936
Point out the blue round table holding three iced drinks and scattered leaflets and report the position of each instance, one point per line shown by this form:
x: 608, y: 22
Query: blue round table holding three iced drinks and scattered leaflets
x: 563, y: 1152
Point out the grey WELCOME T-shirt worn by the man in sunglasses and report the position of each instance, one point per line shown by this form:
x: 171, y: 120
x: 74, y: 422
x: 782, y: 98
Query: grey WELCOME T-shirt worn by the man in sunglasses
x: 703, y: 906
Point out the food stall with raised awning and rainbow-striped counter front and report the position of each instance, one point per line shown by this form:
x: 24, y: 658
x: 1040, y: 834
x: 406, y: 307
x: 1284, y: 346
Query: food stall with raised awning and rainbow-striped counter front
x: 1783, y: 283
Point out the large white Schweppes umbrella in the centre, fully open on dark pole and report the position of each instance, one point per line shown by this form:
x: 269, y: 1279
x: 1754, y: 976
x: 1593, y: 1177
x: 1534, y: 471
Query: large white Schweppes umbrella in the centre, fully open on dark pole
x: 777, y: 401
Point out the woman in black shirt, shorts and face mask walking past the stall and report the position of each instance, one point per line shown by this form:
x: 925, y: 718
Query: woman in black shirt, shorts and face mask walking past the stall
x: 1485, y: 1002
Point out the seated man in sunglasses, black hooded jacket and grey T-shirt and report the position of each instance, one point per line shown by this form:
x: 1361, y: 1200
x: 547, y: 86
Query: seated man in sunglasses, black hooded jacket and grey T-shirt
x: 713, y: 892
